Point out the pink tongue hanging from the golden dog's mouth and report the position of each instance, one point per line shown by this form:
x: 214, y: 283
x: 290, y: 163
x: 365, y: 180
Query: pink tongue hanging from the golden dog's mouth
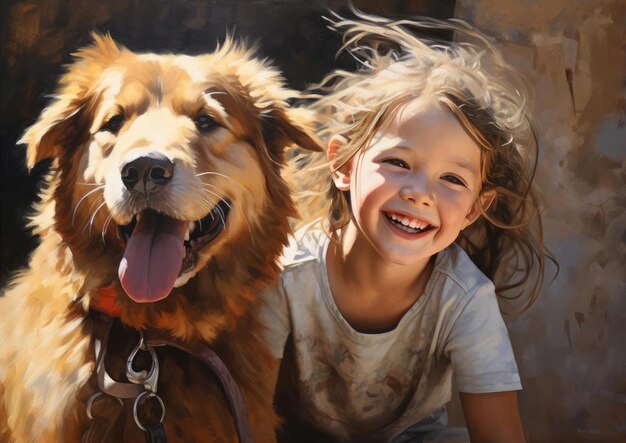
x: 153, y: 257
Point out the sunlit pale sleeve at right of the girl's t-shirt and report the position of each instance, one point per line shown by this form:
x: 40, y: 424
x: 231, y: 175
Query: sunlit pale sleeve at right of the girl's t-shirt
x: 479, y: 347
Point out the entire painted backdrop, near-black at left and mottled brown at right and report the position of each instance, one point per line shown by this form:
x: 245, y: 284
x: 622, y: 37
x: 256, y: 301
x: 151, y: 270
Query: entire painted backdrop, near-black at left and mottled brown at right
x: 571, y: 345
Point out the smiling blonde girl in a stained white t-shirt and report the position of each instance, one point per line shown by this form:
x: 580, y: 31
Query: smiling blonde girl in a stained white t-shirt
x: 425, y: 196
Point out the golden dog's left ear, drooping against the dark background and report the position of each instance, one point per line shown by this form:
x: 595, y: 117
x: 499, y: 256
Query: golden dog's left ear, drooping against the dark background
x: 59, y: 126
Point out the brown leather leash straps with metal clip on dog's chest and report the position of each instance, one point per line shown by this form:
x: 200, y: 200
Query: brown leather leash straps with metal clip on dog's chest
x: 143, y: 385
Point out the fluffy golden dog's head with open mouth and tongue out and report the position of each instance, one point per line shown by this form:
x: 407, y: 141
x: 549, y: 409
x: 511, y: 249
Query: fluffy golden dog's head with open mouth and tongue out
x: 165, y: 162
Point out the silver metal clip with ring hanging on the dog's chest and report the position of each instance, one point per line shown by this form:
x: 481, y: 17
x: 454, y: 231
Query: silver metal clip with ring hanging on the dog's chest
x: 148, y: 379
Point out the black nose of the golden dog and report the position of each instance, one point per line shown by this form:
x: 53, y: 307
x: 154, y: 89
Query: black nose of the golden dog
x: 148, y: 173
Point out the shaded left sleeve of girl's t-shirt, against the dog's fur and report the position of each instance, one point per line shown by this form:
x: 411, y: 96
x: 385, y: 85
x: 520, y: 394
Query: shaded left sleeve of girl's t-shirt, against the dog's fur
x: 274, y: 315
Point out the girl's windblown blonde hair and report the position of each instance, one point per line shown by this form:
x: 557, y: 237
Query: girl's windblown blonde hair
x: 485, y: 94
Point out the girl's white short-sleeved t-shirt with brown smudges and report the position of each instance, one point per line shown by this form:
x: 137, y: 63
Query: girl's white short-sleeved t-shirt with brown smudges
x: 354, y: 384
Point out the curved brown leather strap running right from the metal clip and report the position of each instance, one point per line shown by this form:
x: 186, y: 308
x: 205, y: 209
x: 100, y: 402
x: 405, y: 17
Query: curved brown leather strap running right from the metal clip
x: 214, y: 362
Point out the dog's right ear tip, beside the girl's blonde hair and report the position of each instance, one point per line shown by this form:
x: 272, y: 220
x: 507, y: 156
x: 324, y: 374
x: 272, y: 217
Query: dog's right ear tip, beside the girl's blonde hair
x: 284, y: 126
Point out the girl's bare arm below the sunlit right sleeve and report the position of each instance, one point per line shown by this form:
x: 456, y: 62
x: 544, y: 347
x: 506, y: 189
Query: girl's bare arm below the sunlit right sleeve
x: 493, y: 417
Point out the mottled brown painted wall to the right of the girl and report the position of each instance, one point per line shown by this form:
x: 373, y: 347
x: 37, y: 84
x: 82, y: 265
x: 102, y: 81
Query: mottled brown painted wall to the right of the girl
x: 571, y: 345
